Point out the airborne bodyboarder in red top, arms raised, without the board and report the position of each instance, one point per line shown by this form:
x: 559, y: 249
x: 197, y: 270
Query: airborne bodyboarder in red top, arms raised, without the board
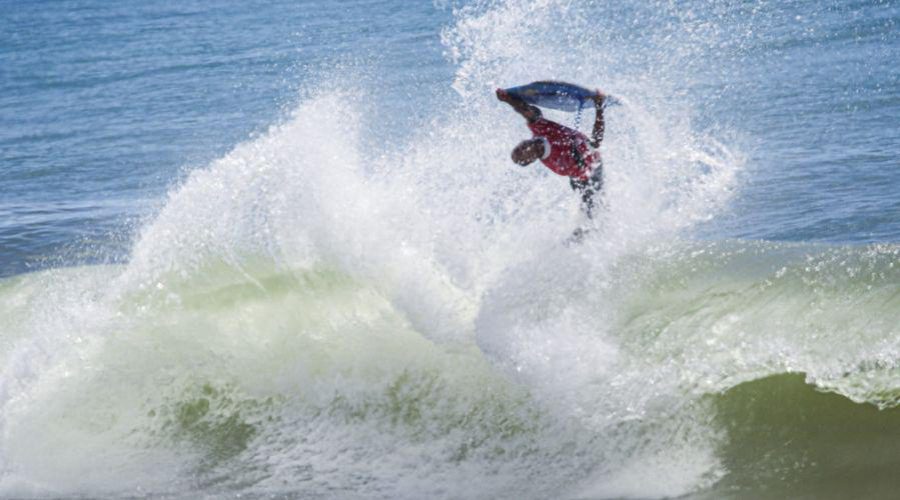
x: 563, y: 150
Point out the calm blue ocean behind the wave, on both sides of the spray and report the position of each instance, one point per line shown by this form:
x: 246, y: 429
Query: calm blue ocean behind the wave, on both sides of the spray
x: 105, y: 105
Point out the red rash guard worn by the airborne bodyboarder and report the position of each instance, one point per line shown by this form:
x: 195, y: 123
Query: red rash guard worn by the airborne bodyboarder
x: 570, y: 152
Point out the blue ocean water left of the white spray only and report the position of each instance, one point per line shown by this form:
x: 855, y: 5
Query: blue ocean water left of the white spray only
x: 106, y: 106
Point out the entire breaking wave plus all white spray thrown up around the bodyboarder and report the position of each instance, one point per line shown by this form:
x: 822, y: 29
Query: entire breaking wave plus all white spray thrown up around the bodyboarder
x: 322, y: 313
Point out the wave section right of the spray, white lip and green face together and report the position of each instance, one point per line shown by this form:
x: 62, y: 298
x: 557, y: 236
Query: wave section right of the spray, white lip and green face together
x: 795, y: 348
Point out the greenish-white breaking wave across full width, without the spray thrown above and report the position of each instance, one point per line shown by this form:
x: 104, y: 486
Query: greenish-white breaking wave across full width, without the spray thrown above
x: 276, y: 381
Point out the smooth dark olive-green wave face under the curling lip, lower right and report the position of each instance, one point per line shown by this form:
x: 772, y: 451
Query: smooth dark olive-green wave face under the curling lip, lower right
x: 786, y: 439
